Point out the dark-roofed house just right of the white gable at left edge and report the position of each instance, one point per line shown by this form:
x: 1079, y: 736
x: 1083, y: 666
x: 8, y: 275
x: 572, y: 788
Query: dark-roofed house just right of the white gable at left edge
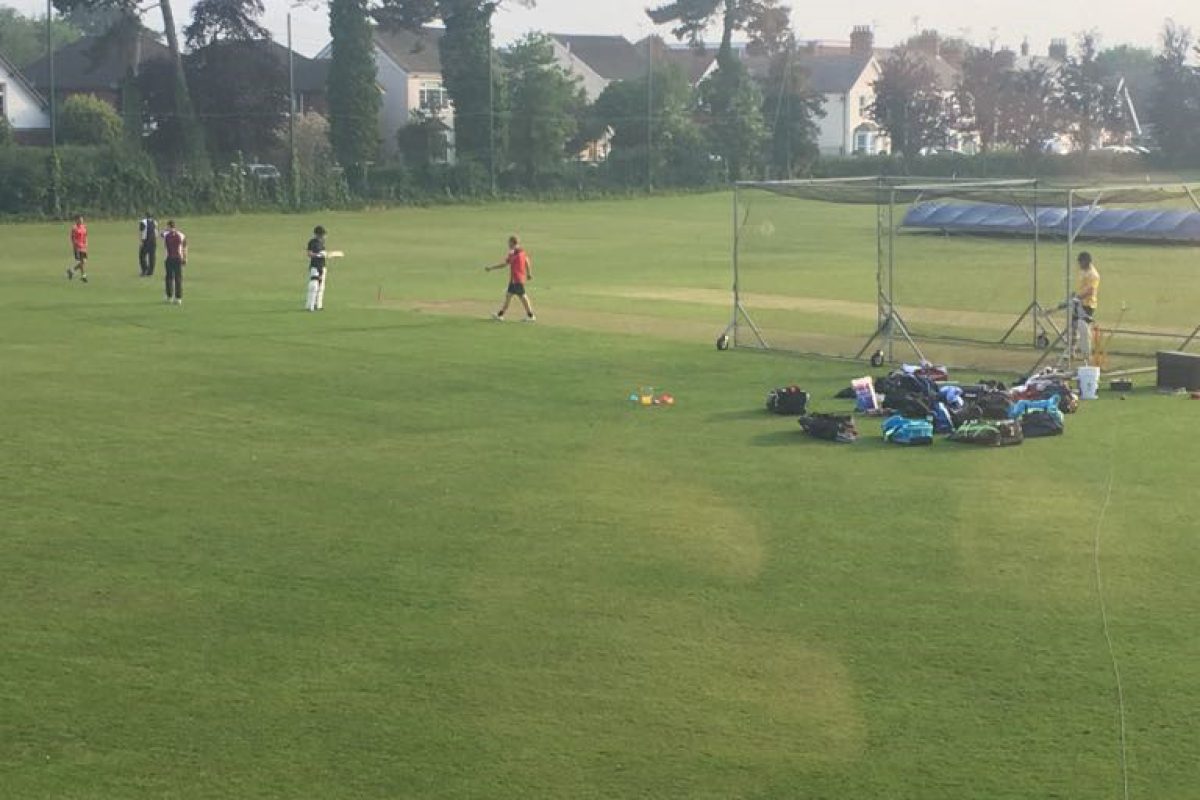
x: 94, y: 65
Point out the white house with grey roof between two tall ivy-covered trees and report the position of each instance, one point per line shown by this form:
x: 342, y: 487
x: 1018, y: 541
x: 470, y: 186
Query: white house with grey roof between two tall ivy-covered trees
x: 409, y: 74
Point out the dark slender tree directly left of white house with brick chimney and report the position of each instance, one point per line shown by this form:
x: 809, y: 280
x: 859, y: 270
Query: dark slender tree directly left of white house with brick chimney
x: 791, y: 111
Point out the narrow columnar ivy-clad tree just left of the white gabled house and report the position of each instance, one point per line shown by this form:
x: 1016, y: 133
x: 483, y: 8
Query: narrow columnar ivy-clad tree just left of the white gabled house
x: 353, y: 97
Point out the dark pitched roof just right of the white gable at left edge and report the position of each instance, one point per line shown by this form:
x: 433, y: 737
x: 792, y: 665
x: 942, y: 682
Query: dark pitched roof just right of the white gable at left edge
x: 91, y: 64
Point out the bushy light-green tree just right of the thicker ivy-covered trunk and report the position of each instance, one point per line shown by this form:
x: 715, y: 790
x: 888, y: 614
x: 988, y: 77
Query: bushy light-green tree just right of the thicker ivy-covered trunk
x: 547, y: 105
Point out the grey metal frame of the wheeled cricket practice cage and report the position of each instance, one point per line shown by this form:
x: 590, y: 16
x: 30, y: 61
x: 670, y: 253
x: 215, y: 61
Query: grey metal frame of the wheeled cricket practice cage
x: 1028, y: 195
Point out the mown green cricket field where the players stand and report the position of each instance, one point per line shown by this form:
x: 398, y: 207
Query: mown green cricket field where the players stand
x: 397, y: 550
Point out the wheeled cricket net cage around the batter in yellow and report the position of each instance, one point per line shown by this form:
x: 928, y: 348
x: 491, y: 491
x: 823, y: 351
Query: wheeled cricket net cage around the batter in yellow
x: 971, y: 274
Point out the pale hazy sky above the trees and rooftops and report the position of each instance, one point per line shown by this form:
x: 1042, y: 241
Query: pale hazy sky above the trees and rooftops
x: 1006, y: 23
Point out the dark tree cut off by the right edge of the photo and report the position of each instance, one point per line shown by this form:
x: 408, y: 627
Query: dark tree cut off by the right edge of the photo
x: 1177, y: 100
